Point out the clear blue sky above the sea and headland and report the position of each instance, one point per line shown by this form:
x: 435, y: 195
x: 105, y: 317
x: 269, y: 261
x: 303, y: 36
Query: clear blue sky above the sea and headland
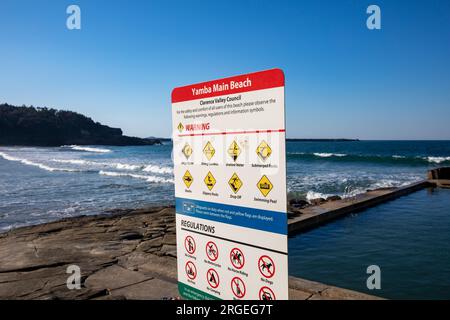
x: 342, y: 80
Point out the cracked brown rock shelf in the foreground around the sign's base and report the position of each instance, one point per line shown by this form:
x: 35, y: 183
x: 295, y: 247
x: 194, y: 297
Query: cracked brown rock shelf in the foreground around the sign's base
x: 126, y: 255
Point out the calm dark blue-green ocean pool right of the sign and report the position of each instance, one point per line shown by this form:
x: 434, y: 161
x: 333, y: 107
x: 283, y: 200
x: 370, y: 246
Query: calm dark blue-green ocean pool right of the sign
x: 408, y: 238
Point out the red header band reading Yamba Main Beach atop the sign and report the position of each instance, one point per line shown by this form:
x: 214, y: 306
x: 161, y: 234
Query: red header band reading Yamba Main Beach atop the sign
x: 248, y: 82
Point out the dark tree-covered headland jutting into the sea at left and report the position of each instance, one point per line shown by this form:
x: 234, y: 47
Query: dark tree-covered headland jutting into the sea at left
x: 30, y: 126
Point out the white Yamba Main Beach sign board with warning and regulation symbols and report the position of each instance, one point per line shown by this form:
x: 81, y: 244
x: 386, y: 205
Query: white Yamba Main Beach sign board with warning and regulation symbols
x: 230, y: 188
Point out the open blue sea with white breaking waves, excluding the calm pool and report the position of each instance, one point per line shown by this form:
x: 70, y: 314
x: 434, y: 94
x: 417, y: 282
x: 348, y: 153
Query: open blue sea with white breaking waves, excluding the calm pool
x: 44, y: 184
